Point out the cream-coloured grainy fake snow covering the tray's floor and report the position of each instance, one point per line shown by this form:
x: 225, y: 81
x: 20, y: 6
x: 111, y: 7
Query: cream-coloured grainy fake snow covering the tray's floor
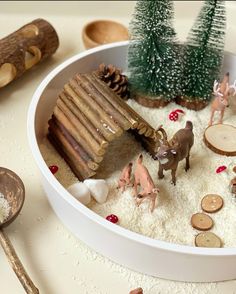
x: 170, y: 221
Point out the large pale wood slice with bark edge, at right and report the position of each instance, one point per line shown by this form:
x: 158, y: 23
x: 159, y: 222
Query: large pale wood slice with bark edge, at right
x: 221, y: 139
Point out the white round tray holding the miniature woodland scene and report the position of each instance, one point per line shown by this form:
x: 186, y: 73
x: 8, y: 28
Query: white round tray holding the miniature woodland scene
x: 140, y: 253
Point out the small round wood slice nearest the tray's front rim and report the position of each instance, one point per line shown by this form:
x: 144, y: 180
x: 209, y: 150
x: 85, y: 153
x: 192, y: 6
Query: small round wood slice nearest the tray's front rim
x: 208, y: 239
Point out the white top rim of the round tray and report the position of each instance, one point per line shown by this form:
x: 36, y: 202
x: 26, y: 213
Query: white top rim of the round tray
x: 122, y: 232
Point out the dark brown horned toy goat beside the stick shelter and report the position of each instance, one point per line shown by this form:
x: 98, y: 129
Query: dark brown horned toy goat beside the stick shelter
x: 171, y: 153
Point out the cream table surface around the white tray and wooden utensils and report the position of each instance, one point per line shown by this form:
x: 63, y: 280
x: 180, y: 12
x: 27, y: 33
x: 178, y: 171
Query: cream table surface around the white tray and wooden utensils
x: 58, y: 262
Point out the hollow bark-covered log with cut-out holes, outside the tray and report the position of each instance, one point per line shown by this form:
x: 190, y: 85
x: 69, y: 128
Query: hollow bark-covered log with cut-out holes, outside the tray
x: 25, y: 48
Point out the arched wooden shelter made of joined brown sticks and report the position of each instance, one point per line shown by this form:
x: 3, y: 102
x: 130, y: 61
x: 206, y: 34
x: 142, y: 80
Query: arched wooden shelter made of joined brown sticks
x: 87, y: 116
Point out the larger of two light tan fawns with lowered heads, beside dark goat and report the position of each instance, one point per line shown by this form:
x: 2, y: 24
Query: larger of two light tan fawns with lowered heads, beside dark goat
x: 143, y: 178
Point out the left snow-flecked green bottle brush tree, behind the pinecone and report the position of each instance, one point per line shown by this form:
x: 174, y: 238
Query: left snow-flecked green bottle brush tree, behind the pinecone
x: 153, y: 61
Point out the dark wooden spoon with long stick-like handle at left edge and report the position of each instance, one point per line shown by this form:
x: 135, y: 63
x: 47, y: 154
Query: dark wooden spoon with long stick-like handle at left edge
x: 13, y: 190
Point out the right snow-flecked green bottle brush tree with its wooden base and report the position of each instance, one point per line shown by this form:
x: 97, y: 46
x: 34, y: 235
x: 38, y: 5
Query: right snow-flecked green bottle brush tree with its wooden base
x: 202, y: 55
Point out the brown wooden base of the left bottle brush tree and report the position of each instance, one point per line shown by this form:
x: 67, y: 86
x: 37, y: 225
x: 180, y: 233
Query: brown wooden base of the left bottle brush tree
x: 150, y: 101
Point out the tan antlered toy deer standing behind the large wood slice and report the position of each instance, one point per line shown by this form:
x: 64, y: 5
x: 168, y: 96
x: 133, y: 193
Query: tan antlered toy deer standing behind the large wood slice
x: 222, y: 92
